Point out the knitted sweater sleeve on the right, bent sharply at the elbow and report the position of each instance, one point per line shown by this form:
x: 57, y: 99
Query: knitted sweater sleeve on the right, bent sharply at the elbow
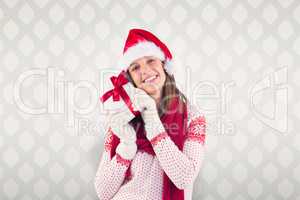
x: 182, y: 167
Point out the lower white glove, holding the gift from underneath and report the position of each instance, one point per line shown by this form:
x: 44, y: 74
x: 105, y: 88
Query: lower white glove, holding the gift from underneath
x: 118, y: 122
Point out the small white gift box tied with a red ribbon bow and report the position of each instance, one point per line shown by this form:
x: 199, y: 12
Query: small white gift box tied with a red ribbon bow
x: 118, y: 97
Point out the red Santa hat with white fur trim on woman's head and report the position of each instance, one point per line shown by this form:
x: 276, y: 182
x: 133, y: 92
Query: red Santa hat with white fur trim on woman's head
x: 141, y: 43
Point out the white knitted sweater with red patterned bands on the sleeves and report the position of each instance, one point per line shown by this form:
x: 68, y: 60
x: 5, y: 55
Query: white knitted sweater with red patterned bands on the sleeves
x: 146, y: 182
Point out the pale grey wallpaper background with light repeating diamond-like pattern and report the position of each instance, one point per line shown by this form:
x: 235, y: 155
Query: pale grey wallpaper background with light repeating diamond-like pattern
x: 54, y: 153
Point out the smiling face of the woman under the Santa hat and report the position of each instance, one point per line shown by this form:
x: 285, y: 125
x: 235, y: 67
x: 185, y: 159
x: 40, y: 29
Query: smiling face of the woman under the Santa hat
x: 148, y: 74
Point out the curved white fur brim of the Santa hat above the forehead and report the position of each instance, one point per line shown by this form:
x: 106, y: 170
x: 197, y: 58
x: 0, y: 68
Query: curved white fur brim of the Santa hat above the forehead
x: 145, y: 48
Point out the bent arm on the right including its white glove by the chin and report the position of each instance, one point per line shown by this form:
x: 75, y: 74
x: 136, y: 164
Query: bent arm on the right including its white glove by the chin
x: 182, y: 167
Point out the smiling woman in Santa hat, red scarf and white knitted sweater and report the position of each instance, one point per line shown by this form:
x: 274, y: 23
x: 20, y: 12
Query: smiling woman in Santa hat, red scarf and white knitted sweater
x: 158, y: 154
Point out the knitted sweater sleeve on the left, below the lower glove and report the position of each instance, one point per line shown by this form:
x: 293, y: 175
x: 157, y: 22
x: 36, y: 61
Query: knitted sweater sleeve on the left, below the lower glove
x: 111, y: 172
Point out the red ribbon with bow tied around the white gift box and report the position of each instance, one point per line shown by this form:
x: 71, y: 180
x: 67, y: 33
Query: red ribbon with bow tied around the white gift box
x: 118, y: 91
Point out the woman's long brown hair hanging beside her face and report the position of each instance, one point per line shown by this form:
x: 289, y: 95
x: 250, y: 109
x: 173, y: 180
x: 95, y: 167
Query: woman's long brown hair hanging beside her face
x: 169, y: 91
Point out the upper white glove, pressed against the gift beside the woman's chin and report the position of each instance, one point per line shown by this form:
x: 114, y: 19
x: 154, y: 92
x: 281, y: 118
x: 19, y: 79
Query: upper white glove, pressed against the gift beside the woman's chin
x: 147, y: 106
